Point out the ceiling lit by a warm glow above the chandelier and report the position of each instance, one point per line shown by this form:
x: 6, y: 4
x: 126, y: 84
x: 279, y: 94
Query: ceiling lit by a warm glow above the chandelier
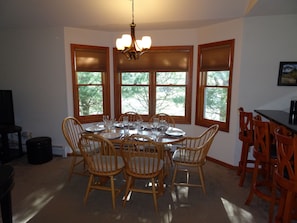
x: 116, y: 15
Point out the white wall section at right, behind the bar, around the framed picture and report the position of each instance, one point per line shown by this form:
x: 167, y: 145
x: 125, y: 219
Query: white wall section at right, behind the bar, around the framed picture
x: 266, y: 41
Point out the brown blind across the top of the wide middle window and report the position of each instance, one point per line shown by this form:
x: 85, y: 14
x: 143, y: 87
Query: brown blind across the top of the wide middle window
x: 157, y: 58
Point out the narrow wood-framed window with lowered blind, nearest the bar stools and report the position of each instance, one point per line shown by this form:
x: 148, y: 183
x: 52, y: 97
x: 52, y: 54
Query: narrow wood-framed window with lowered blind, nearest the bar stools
x: 214, y: 84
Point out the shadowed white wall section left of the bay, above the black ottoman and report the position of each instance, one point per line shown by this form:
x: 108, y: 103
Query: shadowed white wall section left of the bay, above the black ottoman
x: 32, y: 64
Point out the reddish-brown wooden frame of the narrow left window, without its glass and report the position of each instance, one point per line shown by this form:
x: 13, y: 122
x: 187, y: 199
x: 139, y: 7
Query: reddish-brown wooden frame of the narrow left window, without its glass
x: 105, y: 81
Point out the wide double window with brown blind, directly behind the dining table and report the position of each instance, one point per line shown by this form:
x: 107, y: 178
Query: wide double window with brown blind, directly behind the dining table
x: 158, y: 82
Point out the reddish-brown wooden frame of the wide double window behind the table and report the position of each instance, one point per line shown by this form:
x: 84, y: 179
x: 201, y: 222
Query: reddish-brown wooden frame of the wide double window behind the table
x: 152, y: 85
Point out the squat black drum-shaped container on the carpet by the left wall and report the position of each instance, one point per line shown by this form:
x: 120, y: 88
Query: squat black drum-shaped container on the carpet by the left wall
x: 39, y: 150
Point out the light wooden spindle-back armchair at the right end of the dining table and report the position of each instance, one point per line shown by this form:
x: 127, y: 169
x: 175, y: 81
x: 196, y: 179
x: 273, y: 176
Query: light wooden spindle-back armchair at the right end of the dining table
x: 192, y: 152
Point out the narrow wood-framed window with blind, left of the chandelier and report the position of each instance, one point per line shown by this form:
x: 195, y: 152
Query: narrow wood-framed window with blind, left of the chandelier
x: 90, y: 82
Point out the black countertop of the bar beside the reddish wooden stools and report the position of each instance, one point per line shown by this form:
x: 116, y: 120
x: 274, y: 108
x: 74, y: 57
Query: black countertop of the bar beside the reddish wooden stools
x: 279, y: 117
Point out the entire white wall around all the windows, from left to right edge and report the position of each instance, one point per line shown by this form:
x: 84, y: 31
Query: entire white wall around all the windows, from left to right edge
x: 36, y: 66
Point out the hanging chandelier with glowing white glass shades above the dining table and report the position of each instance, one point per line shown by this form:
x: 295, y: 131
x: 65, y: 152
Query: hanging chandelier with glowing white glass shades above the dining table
x: 131, y: 47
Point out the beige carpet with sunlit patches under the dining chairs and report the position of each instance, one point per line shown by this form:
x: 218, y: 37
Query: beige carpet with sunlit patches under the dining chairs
x: 42, y: 193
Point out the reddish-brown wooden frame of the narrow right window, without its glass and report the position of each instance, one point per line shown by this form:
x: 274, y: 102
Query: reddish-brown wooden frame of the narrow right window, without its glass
x: 202, y: 80
